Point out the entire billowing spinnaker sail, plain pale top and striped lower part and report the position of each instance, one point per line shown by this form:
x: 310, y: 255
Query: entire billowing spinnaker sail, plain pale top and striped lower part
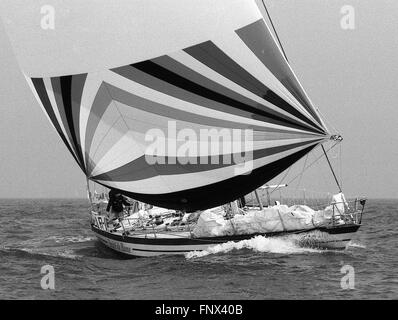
x: 111, y: 74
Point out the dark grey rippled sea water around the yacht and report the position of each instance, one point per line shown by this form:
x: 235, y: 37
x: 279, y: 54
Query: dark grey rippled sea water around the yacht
x: 56, y: 233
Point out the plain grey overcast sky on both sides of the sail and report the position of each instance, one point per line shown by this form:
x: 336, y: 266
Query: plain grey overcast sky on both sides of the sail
x: 350, y: 75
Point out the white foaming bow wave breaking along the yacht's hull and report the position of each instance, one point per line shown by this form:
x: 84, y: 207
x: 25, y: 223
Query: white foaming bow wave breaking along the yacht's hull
x: 281, y: 245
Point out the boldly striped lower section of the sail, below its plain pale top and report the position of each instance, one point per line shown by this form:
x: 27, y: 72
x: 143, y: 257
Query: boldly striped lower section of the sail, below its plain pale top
x: 238, y: 81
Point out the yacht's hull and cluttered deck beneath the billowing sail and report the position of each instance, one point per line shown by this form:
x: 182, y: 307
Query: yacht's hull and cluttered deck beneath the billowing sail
x: 146, y: 231
